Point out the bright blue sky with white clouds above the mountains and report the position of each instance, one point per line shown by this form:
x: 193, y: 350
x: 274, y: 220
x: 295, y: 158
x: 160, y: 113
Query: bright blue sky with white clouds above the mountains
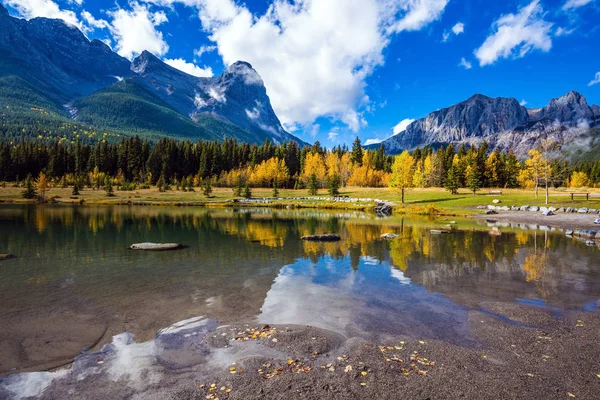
x: 337, y: 69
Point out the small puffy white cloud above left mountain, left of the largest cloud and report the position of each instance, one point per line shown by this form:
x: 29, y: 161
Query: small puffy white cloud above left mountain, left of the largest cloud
x: 135, y: 31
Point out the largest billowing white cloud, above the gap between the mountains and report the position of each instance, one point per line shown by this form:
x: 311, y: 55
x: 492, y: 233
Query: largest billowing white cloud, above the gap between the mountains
x: 313, y: 55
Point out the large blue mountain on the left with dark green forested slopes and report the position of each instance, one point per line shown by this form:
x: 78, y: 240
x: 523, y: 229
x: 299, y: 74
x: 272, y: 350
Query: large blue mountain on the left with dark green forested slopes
x: 51, y: 73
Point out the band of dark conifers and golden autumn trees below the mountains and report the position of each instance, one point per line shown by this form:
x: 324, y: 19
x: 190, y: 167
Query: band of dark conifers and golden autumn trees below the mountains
x: 230, y: 163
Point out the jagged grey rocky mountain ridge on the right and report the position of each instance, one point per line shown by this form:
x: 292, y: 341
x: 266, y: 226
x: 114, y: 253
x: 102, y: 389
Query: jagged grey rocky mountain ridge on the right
x: 503, y: 123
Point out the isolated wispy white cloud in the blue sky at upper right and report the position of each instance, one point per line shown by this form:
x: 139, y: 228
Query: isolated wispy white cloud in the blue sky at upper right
x: 516, y: 35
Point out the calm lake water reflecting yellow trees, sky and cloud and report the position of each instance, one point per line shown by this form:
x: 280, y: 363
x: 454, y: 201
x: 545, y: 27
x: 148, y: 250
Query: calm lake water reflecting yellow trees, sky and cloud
x: 73, y: 283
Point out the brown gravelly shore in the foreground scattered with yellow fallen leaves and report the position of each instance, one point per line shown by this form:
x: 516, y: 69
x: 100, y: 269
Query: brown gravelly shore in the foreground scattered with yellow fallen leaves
x: 521, y: 353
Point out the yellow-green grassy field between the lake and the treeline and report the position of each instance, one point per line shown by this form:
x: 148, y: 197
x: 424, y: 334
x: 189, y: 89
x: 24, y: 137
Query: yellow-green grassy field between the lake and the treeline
x: 416, y: 199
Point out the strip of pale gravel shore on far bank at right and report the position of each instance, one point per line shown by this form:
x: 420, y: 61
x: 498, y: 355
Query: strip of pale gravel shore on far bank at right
x: 560, y: 220
